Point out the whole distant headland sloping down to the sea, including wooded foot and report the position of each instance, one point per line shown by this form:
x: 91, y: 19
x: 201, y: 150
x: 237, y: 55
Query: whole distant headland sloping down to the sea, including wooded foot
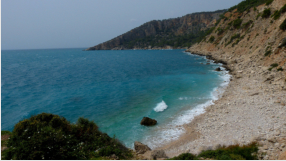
x: 171, y: 33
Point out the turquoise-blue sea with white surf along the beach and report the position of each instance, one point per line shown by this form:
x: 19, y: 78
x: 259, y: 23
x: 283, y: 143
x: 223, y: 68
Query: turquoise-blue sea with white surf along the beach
x: 116, y: 89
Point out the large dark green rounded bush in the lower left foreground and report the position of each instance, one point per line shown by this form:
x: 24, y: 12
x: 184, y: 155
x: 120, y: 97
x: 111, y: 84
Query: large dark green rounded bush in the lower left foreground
x: 48, y: 136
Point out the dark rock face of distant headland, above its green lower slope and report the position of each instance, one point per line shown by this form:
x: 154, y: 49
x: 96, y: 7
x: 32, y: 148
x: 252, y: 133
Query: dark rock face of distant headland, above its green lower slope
x: 191, y: 23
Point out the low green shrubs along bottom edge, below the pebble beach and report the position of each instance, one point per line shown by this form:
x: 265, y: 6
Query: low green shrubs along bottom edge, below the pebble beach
x: 233, y: 152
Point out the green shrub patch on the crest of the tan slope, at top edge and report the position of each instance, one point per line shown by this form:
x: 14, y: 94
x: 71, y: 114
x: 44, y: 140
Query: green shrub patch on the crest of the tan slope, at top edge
x: 247, y: 4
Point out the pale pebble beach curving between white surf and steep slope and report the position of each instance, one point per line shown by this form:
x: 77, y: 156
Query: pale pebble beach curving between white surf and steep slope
x: 247, y: 111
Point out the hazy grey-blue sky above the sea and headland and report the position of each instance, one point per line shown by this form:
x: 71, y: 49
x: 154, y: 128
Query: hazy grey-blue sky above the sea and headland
x: 43, y: 24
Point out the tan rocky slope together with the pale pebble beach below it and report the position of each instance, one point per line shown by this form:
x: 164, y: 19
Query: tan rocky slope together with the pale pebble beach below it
x: 251, y: 40
